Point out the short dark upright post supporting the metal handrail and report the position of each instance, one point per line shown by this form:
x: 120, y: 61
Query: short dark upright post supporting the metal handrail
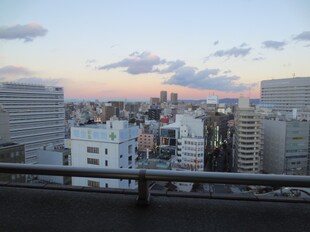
x: 144, y: 196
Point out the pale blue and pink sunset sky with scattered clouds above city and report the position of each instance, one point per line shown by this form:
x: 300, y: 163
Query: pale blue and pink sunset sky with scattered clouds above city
x: 134, y: 49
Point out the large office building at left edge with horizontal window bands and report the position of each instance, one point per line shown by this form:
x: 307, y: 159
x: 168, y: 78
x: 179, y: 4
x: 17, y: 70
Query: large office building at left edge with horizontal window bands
x: 36, y: 115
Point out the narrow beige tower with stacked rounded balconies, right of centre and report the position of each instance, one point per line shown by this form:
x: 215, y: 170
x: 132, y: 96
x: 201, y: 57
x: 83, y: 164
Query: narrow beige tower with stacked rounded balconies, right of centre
x: 247, y: 139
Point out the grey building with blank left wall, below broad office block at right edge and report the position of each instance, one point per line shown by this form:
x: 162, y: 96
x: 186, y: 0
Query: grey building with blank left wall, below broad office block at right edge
x: 286, y: 147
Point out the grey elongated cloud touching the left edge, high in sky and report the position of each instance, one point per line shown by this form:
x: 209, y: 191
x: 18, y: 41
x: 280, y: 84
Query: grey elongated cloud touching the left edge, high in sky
x: 24, y: 32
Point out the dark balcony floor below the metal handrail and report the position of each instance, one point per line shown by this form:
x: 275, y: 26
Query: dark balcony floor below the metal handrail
x: 30, y: 209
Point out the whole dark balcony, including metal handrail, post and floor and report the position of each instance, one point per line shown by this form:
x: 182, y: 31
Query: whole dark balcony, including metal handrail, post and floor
x: 45, y: 207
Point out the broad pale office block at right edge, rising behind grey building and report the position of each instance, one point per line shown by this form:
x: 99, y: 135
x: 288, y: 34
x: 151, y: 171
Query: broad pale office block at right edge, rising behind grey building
x: 284, y: 95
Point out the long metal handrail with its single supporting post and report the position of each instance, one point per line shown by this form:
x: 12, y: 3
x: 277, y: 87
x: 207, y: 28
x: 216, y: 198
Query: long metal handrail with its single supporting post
x: 143, y: 176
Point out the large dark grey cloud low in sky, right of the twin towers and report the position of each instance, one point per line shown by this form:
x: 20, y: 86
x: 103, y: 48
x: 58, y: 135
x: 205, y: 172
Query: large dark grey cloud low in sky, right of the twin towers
x: 209, y: 79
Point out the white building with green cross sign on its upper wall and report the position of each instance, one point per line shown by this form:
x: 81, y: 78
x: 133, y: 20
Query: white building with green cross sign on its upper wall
x: 110, y: 145
